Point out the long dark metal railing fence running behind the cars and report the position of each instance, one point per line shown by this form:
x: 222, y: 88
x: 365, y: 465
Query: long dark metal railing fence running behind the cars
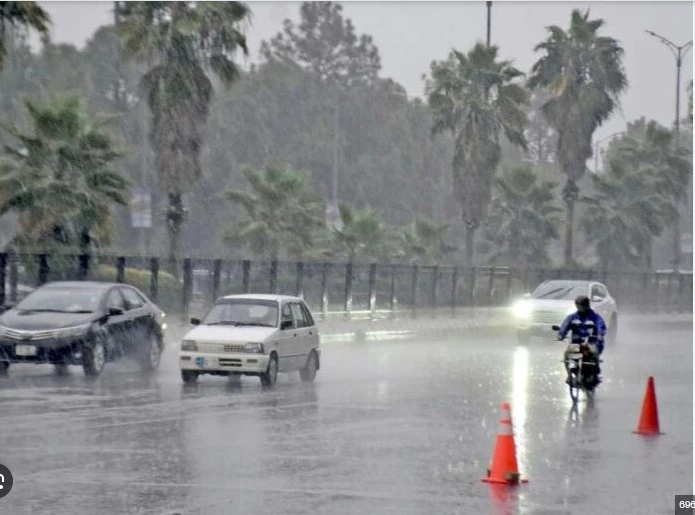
x: 334, y: 289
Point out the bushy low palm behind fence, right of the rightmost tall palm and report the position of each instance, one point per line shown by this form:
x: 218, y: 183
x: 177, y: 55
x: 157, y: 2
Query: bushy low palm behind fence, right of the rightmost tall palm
x: 627, y: 211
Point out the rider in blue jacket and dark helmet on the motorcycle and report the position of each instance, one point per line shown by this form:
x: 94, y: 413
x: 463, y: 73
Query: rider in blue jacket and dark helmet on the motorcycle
x: 588, y: 329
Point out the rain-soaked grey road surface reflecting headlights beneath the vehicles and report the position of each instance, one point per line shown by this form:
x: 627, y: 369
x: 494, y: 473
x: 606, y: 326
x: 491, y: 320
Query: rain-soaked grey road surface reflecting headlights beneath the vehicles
x: 388, y: 427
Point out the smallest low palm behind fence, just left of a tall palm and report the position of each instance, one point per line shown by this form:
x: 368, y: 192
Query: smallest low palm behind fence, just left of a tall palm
x: 424, y: 240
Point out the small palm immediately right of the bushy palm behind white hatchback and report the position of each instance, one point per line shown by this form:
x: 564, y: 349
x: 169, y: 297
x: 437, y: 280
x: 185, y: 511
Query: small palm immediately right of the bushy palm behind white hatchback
x: 363, y: 235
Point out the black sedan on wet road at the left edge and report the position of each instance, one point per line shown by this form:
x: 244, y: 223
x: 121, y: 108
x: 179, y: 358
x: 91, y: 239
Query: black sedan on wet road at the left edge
x: 82, y: 323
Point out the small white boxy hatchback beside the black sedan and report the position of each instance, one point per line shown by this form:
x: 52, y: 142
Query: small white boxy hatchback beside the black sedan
x: 254, y: 335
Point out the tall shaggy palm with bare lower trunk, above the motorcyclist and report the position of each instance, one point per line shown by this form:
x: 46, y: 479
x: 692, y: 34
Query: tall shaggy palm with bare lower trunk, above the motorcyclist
x: 584, y: 75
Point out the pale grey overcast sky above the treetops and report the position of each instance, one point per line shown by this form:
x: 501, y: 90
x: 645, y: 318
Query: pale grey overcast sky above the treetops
x: 411, y: 34
